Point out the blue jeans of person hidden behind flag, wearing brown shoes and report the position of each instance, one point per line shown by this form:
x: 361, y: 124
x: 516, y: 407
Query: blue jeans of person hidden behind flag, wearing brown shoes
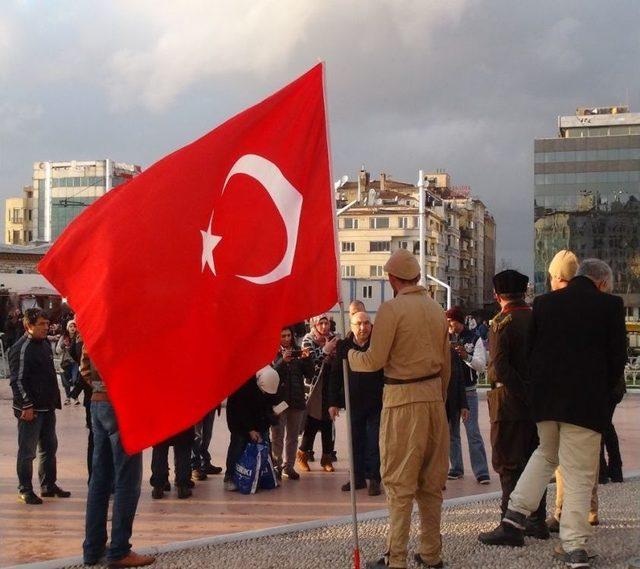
x: 111, y: 466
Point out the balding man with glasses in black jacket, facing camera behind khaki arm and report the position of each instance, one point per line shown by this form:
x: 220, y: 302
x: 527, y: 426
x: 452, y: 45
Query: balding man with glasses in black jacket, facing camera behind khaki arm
x: 365, y: 390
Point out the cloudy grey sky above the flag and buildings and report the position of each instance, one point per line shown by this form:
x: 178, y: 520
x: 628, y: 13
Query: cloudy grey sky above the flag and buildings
x: 462, y: 85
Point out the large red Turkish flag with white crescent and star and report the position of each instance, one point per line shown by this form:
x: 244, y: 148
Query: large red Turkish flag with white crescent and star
x: 182, y: 278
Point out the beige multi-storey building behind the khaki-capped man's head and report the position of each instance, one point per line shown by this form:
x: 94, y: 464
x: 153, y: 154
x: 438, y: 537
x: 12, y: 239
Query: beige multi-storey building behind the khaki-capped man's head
x: 383, y: 216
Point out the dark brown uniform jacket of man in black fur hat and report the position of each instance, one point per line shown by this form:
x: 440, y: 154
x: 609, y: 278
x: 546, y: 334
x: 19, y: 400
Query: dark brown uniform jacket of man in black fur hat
x: 508, y: 365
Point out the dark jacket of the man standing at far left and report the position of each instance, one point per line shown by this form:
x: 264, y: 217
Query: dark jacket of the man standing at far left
x: 33, y: 376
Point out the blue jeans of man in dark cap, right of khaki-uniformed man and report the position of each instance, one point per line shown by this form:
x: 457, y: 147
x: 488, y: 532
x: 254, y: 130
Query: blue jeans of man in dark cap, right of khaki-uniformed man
x: 474, y: 438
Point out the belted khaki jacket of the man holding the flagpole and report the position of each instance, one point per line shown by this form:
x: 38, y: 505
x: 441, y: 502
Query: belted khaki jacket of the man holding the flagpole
x: 409, y: 340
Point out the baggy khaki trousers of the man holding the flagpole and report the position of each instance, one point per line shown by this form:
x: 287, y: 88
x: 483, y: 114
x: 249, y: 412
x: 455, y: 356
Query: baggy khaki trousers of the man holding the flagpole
x: 414, y: 460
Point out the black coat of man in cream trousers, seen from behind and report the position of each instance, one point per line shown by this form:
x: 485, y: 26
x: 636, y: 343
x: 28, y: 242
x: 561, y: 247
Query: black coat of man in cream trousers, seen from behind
x: 577, y: 354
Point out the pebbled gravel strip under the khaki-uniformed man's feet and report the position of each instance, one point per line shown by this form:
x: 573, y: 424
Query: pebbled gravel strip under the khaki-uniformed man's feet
x: 615, y: 541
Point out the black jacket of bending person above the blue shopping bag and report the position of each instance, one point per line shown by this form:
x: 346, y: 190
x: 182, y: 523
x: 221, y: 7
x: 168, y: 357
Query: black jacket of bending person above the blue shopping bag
x: 249, y: 409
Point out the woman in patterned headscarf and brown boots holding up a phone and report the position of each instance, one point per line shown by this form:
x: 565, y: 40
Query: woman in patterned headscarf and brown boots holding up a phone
x: 321, y: 344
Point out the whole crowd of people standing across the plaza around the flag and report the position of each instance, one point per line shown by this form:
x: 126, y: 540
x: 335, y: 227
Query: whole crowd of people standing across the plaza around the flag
x: 412, y: 378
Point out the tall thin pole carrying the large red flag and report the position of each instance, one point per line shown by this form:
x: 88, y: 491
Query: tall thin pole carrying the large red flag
x: 341, y: 329
